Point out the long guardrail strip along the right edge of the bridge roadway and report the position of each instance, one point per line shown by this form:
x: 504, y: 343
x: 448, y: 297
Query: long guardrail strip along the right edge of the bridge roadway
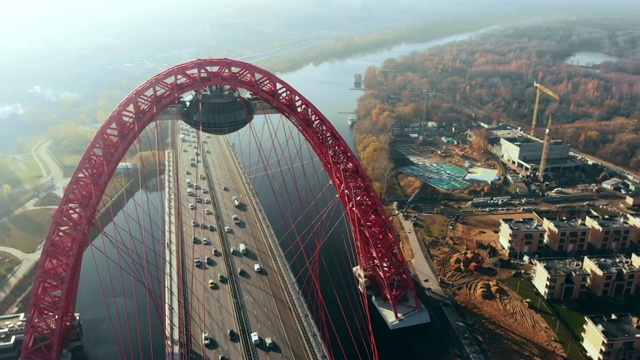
x: 313, y: 341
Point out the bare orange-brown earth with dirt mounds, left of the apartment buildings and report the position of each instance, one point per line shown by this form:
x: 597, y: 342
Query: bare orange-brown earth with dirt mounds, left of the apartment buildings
x: 506, y: 326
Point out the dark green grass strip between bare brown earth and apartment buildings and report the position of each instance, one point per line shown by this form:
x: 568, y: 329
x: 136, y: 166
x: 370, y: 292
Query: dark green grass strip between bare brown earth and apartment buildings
x: 565, y: 336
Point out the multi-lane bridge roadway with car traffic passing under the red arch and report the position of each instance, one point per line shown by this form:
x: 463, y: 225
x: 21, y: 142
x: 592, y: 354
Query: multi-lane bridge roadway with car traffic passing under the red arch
x: 245, y: 301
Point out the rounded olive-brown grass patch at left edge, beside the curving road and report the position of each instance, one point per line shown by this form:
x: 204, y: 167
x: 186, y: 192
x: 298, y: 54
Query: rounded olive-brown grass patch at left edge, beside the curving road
x: 26, y: 231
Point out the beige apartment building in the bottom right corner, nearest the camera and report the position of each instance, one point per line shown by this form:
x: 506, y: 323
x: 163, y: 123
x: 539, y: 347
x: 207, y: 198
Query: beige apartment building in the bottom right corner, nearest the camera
x: 616, y: 337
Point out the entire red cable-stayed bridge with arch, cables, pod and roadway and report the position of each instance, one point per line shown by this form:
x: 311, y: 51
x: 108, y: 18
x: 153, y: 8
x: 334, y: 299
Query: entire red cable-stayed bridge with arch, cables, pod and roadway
x: 321, y: 208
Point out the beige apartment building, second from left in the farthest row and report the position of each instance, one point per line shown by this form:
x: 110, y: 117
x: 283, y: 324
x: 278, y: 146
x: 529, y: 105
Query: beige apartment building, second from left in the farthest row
x: 567, y: 234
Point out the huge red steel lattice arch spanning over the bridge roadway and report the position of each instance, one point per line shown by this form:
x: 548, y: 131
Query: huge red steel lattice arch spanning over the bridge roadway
x: 55, y: 289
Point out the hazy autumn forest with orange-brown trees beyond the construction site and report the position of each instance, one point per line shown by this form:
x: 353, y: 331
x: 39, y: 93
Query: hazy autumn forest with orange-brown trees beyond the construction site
x: 490, y: 78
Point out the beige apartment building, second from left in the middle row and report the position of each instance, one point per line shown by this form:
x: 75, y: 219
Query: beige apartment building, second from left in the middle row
x: 615, y: 276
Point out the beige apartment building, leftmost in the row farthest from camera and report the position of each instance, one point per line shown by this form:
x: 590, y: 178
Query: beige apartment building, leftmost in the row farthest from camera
x: 522, y: 235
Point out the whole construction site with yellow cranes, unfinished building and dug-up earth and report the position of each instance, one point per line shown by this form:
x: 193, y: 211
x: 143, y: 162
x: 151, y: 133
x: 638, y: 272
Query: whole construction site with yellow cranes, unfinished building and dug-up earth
x: 459, y: 195
